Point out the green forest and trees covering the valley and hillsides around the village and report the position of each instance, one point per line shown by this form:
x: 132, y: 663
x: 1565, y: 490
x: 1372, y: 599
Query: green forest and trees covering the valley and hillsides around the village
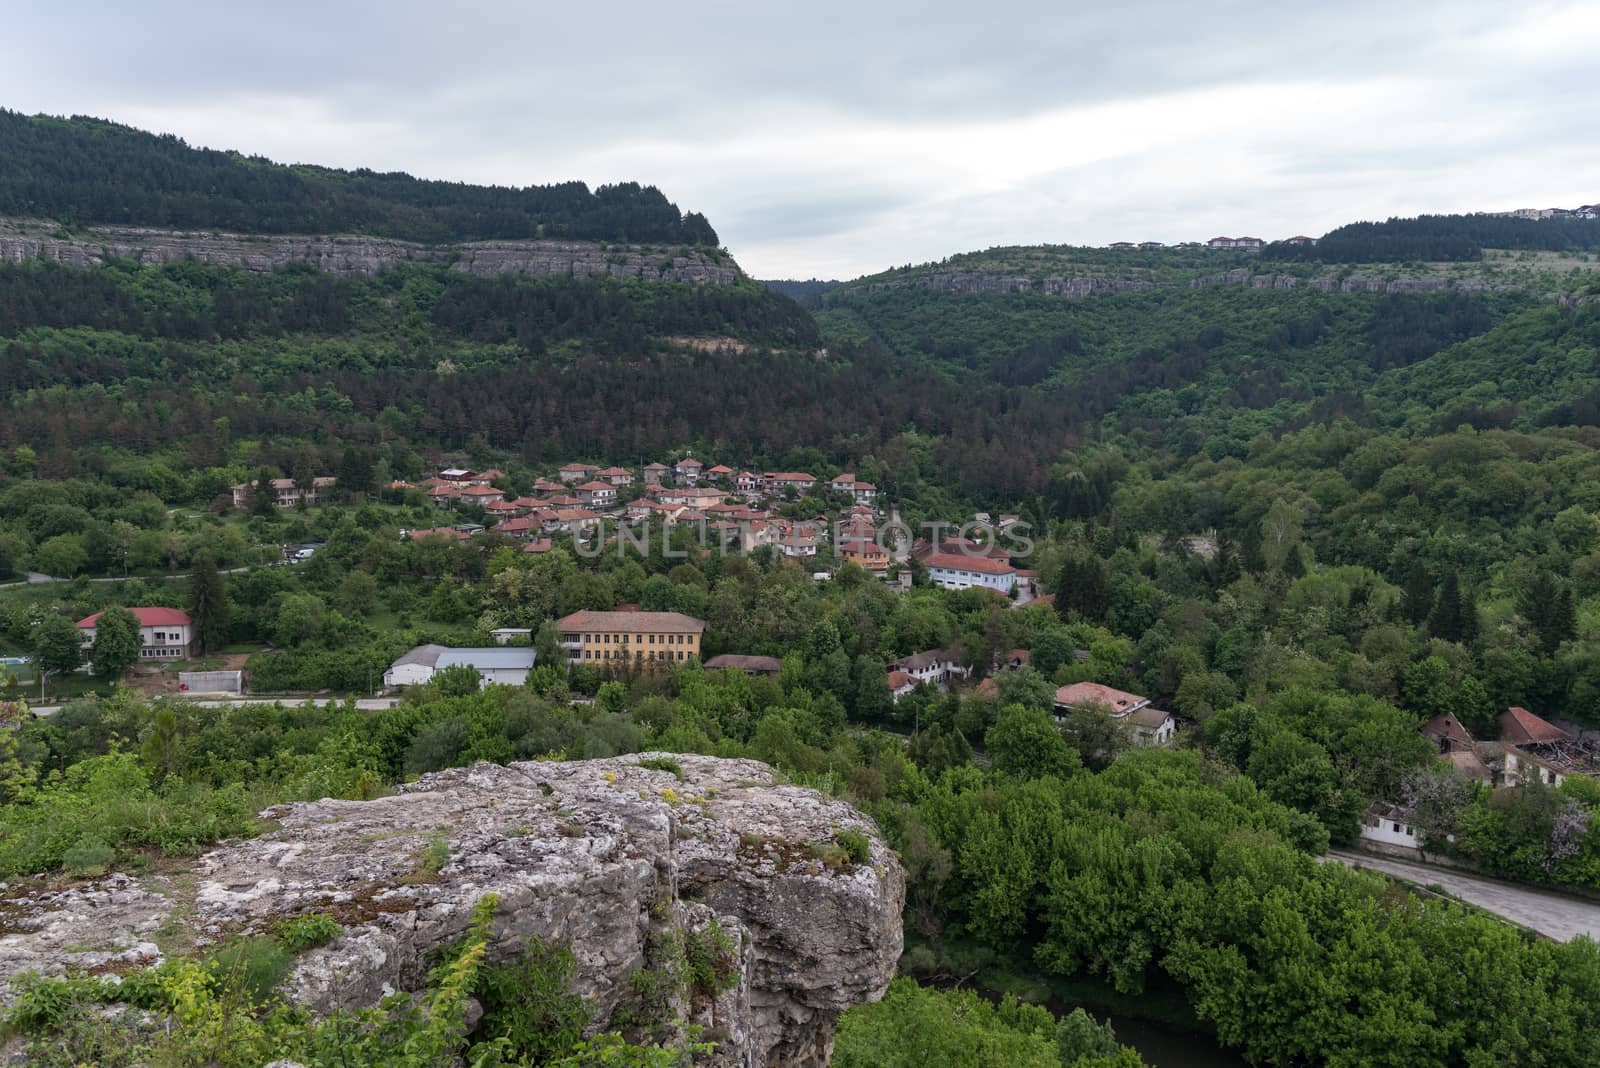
x: 1303, y: 520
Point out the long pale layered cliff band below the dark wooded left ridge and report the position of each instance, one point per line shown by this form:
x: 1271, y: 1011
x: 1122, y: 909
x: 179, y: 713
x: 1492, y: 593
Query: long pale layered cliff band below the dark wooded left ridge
x: 354, y: 255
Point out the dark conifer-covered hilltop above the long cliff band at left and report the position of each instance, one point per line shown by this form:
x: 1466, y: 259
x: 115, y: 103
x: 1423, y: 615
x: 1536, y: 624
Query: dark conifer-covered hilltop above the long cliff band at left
x: 87, y: 170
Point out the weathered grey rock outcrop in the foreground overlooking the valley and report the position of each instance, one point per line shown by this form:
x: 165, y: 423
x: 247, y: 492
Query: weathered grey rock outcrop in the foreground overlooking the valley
x: 609, y: 858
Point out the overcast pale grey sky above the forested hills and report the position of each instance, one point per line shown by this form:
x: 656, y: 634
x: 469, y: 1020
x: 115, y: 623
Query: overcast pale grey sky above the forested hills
x: 836, y: 140
